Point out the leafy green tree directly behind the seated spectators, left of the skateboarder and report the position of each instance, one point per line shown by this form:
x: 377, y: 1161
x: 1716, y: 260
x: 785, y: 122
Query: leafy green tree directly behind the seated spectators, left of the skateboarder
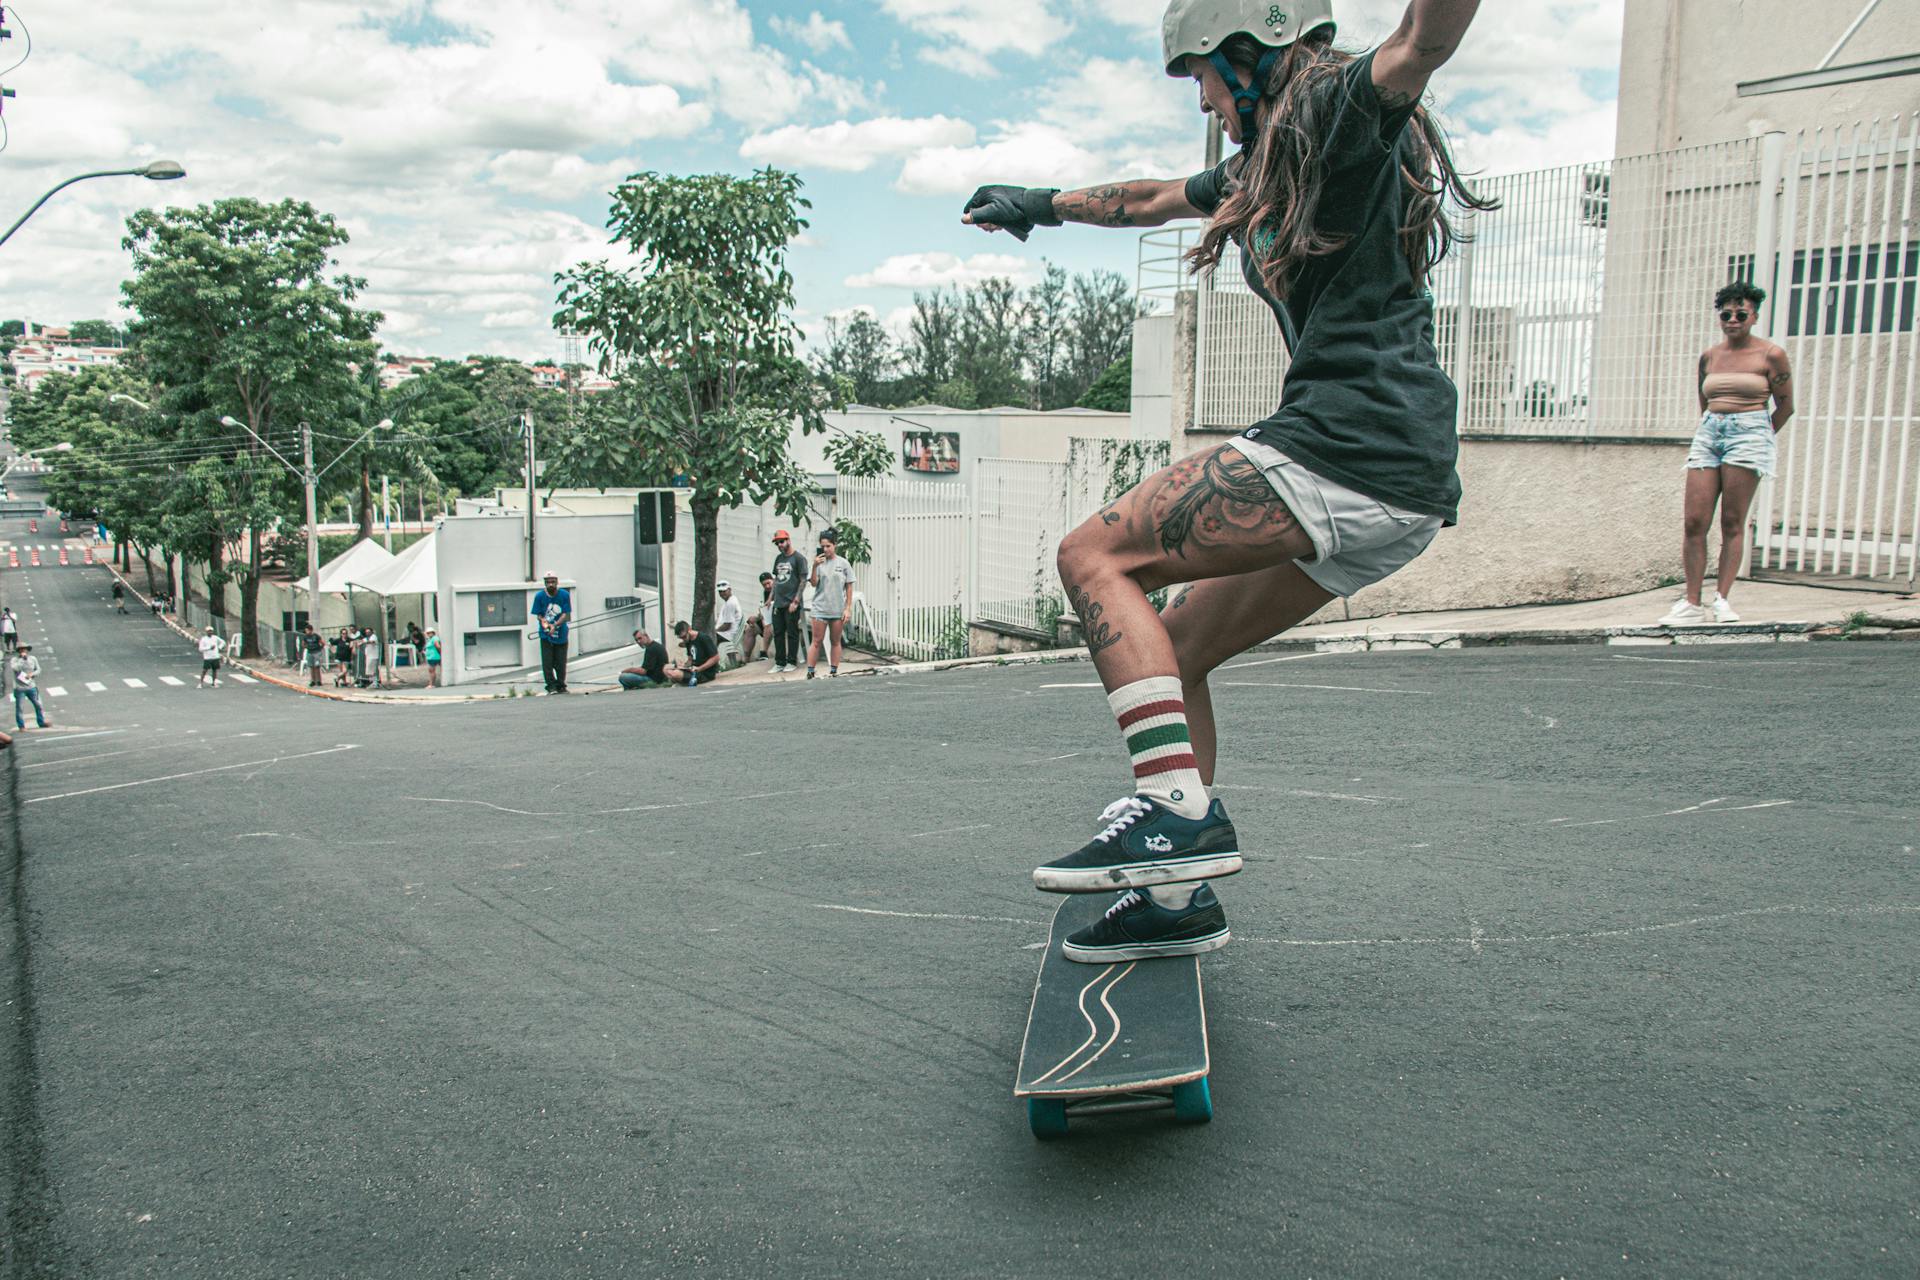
x: 704, y: 348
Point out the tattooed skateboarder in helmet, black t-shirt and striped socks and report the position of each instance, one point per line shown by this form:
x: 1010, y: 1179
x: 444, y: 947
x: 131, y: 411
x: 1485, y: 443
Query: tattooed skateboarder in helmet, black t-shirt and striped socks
x: 1337, y: 206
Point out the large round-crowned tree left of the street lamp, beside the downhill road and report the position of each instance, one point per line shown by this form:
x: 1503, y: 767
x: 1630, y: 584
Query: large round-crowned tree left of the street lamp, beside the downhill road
x: 235, y: 312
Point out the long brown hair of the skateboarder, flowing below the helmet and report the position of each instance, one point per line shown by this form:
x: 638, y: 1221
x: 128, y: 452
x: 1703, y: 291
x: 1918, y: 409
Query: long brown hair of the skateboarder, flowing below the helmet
x: 1274, y: 208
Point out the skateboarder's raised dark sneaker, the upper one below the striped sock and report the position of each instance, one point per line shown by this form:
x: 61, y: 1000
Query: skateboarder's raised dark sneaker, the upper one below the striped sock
x: 1145, y: 845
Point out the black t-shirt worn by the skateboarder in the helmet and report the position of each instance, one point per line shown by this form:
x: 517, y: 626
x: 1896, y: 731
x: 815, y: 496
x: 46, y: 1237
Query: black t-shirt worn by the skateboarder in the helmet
x: 1366, y: 402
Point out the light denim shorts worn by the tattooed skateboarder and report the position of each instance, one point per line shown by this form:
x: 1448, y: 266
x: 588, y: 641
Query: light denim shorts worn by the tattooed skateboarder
x: 1356, y: 540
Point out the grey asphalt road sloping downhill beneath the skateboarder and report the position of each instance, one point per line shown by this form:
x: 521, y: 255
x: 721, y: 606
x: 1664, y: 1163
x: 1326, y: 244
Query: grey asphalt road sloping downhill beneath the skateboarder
x: 1550, y: 962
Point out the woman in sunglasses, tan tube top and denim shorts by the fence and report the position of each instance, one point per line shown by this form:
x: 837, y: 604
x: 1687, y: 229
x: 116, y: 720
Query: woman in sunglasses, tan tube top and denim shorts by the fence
x: 1733, y: 452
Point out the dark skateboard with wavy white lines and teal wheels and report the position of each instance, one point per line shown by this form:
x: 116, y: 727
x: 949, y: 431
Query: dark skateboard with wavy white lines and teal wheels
x: 1122, y: 1037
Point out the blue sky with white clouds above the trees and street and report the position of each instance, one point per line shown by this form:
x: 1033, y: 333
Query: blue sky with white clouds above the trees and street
x: 469, y: 149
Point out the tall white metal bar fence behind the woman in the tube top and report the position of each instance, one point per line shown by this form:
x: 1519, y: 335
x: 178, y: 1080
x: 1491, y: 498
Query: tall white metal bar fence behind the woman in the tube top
x: 1587, y: 302
